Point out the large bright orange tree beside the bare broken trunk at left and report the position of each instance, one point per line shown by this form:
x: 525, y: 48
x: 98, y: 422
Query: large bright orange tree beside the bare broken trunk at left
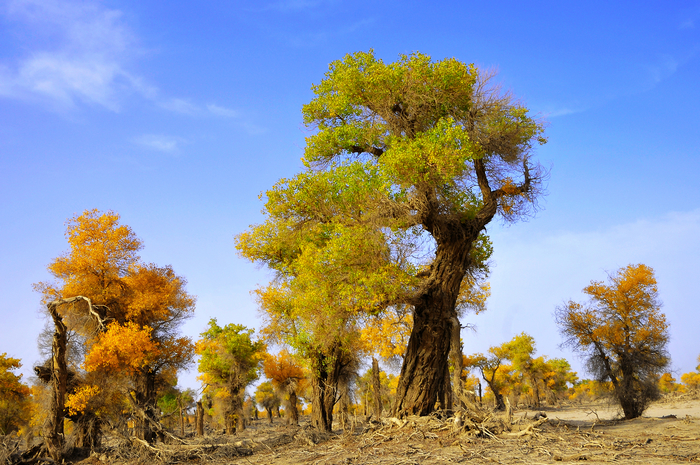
x: 122, y: 308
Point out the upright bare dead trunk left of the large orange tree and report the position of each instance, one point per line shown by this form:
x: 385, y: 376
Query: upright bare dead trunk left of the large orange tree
x: 53, y: 434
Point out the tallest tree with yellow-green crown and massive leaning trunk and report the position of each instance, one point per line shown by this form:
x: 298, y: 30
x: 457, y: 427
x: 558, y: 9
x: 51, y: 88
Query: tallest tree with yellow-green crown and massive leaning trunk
x: 421, y: 147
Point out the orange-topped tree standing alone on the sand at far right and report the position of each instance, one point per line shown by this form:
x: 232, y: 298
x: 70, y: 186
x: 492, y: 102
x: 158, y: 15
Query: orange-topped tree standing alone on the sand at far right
x: 622, y: 333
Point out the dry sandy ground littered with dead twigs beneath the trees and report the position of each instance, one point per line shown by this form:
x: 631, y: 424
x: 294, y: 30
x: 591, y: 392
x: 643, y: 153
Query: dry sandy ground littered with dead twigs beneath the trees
x: 565, y: 434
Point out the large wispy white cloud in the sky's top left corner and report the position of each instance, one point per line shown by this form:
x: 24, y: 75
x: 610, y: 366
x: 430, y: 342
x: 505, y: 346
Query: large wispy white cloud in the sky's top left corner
x: 80, y: 54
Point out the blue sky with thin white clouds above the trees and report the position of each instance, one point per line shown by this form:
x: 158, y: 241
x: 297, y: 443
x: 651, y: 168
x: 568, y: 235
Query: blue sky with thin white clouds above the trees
x: 178, y: 114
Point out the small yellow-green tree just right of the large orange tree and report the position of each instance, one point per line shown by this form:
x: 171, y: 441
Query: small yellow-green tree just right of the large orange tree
x: 230, y: 361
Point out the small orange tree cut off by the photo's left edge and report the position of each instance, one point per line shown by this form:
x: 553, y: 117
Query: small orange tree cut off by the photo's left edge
x: 14, y: 396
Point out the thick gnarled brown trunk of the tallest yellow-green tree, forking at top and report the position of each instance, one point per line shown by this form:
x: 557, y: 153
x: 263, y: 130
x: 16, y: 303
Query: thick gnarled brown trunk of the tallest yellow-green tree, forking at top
x: 434, y: 312
